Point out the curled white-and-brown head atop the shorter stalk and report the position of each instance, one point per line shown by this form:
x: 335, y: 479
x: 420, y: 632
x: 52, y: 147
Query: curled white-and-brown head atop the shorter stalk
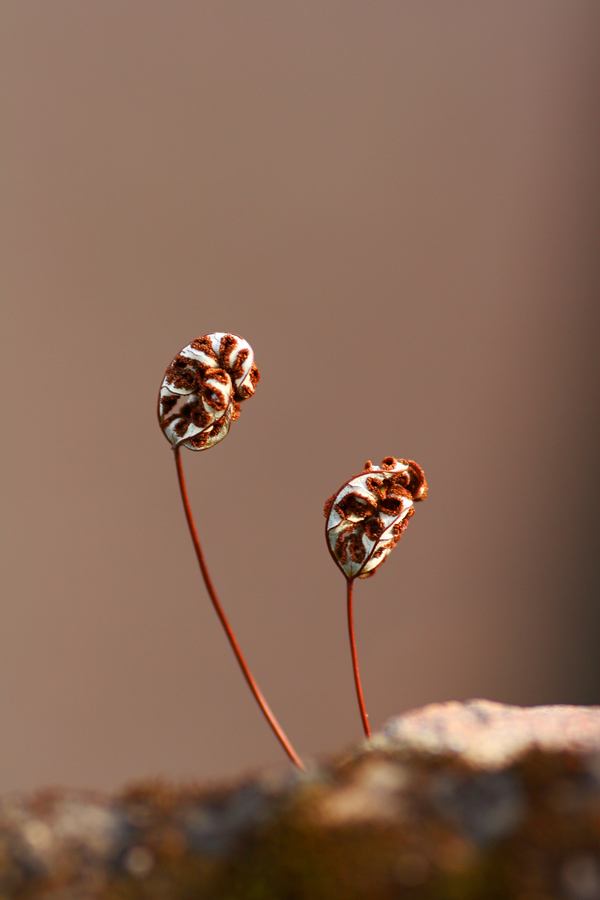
x: 367, y: 516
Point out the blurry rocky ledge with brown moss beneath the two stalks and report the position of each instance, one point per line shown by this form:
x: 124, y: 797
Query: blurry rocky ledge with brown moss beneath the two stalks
x: 457, y: 800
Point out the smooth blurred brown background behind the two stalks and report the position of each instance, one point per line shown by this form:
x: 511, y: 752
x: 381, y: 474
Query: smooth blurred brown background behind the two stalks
x: 396, y: 203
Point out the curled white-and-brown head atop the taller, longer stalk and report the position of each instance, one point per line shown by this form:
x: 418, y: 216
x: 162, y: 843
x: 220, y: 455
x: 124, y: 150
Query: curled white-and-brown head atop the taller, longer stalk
x: 202, y: 389
